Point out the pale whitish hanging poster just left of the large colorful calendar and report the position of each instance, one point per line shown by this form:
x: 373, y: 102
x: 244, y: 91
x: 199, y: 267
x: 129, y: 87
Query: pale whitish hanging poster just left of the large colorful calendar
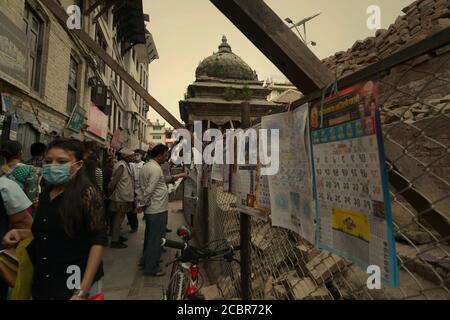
x: 291, y: 197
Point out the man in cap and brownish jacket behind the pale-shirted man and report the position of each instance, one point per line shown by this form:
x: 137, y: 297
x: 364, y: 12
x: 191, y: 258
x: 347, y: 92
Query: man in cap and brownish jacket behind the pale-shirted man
x: 121, y: 191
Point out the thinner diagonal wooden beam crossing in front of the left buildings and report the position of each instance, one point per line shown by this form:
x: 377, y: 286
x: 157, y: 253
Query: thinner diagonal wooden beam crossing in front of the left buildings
x: 62, y: 16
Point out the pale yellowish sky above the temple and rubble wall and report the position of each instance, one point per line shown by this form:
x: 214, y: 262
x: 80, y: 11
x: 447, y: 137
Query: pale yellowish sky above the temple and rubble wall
x: 187, y: 31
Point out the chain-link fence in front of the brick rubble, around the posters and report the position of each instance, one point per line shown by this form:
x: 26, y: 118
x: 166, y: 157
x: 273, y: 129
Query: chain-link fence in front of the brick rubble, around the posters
x: 415, y: 112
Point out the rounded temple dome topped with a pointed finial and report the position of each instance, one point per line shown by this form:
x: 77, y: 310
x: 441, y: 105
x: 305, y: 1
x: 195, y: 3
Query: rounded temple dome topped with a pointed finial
x: 224, y: 64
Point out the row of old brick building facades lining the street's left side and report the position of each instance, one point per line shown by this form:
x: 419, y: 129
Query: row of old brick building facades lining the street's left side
x: 50, y: 81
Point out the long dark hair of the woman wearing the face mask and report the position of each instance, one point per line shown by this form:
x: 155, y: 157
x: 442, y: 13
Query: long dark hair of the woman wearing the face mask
x: 73, y: 208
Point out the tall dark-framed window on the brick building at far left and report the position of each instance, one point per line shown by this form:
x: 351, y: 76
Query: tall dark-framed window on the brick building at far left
x: 33, y: 27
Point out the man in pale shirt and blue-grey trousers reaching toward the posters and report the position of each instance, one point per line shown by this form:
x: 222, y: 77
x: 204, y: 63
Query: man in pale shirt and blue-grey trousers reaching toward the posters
x: 155, y: 203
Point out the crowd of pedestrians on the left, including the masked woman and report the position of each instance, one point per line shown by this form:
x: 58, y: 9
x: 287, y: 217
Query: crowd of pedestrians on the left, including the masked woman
x: 65, y: 205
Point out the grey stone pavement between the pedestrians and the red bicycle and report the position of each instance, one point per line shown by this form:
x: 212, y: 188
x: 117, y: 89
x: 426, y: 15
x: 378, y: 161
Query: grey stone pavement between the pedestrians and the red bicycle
x: 124, y: 280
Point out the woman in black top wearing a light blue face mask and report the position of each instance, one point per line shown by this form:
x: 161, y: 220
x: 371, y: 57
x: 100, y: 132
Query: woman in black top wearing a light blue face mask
x: 69, y: 233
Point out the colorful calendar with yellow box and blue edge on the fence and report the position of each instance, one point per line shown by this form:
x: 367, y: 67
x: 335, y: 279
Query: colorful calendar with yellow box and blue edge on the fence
x: 351, y: 187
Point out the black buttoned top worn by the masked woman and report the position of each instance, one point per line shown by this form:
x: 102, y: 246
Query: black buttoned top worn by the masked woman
x: 52, y: 251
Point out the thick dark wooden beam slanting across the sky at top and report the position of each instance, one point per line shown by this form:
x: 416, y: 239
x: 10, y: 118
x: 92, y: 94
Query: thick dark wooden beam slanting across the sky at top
x: 268, y: 32
